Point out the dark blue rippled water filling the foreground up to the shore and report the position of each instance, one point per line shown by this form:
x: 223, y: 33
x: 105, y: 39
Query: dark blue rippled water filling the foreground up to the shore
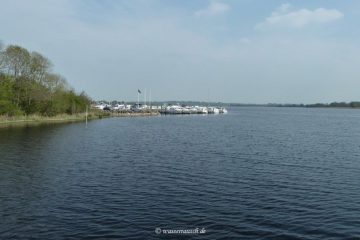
x: 256, y: 173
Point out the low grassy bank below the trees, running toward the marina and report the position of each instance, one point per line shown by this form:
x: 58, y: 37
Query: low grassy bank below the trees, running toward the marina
x: 63, y: 118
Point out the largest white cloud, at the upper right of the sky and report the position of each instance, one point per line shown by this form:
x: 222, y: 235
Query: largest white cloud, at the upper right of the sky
x: 283, y: 17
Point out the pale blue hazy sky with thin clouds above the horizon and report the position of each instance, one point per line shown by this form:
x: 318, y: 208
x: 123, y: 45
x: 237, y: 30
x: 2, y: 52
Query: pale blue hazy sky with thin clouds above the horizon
x: 244, y: 51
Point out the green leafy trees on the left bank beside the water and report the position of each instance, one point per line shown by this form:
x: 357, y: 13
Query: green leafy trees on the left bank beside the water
x: 29, y: 86
